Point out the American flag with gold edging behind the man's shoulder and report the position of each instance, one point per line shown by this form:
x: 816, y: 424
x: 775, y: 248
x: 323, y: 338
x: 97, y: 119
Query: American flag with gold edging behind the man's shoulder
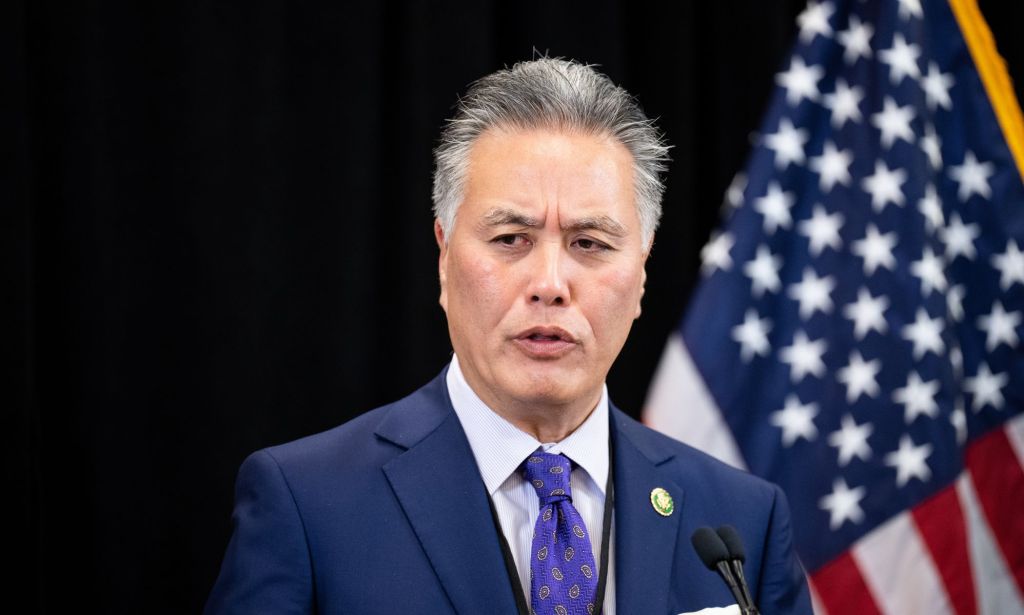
x: 856, y: 337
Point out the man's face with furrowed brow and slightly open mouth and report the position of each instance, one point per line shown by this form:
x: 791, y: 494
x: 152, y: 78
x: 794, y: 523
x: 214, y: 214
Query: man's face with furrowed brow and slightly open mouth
x: 544, y: 270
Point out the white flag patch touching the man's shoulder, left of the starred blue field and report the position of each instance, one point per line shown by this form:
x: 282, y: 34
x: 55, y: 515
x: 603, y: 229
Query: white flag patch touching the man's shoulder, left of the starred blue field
x: 679, y: 405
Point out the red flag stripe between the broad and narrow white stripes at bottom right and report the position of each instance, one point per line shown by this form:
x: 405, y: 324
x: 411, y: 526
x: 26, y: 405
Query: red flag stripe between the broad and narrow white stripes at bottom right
x: 943, y: 526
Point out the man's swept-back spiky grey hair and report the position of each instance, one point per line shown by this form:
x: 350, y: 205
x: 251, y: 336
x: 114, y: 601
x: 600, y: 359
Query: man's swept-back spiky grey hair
x: 559, y: 95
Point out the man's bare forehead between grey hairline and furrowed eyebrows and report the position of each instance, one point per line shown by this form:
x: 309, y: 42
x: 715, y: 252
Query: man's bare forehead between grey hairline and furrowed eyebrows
x: 540, y: 169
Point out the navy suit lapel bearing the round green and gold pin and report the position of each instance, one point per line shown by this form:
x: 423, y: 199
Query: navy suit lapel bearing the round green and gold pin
x: 646, y: 541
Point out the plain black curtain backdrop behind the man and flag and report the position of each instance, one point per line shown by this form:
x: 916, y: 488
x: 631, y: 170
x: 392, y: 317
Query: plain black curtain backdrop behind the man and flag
x: 218, y: 237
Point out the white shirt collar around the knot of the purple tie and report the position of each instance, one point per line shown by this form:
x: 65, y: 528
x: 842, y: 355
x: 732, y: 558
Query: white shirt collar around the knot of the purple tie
x: 500, y: 448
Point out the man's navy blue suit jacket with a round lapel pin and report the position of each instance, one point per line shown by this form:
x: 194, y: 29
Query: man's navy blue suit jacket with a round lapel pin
x: 389, y: 514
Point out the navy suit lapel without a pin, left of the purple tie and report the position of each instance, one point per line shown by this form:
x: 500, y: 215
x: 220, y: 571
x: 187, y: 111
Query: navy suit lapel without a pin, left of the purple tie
x: 440, y: 489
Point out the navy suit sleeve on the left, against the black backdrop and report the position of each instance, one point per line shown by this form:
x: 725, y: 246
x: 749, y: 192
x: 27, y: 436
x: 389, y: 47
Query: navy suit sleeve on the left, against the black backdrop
x: 267, y: 568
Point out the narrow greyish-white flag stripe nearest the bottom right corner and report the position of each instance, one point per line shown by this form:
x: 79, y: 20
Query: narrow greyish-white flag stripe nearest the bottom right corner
x: 997, y: 591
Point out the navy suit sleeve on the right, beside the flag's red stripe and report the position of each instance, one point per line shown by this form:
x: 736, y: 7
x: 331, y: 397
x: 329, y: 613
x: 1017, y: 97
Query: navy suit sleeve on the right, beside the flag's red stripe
x: 784, y: 587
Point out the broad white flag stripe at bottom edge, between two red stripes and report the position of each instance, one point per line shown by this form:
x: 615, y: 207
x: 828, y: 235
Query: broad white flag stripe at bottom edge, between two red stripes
x: 895, y: 565
